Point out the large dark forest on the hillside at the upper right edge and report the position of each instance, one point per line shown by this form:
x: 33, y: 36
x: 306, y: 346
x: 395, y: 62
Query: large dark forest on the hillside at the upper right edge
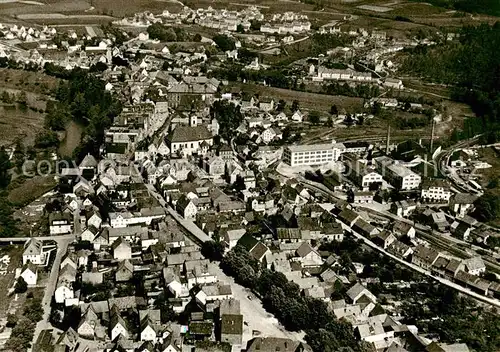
x: 472, y: 66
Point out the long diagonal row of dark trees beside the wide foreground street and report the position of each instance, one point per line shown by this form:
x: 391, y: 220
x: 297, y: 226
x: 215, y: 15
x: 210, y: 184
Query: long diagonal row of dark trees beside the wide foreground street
x: 283, y: 299
